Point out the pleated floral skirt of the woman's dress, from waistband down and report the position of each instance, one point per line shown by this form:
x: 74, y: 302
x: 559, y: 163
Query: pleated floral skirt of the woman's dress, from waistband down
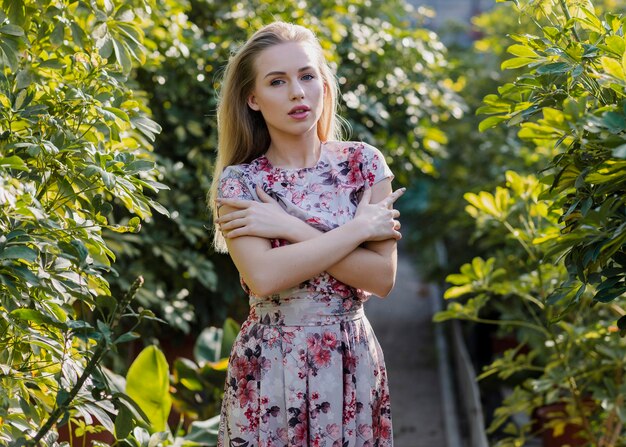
x: 300, y: 377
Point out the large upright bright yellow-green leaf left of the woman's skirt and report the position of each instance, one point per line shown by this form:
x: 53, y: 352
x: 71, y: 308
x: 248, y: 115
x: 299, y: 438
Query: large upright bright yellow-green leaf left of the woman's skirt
x: 147, y: 383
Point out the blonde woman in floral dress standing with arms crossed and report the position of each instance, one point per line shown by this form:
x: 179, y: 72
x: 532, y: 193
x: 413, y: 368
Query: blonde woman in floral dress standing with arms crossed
x: 309, y: 222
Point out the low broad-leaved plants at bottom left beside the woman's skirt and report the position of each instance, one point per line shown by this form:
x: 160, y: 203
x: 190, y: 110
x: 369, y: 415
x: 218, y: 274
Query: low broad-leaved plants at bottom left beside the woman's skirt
x: 195, y: 389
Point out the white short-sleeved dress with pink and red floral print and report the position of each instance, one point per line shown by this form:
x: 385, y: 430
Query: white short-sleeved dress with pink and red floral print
x: 306, y: 368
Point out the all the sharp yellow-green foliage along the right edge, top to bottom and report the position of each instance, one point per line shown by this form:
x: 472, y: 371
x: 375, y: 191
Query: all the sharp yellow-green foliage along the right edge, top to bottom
x: 556, y: 243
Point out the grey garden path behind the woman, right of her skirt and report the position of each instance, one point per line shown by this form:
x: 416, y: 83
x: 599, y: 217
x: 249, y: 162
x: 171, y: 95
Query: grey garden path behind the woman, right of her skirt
x: 403, y: 325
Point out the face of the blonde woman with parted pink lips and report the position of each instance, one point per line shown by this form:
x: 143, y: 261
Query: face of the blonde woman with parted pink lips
x: 288, y: 89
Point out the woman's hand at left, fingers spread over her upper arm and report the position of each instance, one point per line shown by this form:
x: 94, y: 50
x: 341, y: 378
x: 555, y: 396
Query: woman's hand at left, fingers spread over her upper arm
x: 264, y: 219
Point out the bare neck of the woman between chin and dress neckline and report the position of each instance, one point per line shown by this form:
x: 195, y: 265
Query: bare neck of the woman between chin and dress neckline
x: 295, y: 152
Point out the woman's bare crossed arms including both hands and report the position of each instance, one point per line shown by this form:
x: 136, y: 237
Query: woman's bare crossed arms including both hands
x: 361, y: 253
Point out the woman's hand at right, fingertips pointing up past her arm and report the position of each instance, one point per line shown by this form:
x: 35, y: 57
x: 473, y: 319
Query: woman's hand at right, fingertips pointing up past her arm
x: 379, y: 219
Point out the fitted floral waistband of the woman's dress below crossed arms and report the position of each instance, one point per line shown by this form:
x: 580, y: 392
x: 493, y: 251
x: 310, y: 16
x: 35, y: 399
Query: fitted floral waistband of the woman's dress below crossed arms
x: 304, y: 312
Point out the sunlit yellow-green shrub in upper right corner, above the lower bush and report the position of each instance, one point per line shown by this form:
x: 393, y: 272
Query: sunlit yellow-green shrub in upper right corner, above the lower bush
x: 574, y: 98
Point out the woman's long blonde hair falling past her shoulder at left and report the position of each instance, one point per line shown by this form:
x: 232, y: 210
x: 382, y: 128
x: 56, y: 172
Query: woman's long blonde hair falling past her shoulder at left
x: 242, y: 132
